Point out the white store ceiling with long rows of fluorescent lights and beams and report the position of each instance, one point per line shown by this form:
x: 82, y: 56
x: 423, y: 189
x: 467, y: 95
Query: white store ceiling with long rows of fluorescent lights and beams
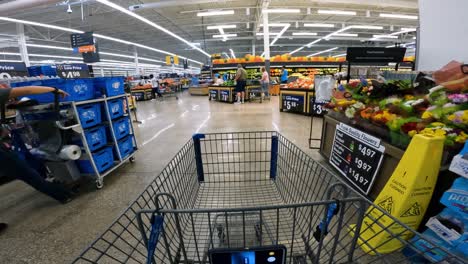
x: 180, y: 17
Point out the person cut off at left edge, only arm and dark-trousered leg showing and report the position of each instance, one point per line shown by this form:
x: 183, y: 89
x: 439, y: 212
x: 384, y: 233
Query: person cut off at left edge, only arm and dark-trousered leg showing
x: 13, y: 166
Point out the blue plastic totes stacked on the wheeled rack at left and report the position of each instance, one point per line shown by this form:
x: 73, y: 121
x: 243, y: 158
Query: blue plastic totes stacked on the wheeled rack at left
x: 93, y: 116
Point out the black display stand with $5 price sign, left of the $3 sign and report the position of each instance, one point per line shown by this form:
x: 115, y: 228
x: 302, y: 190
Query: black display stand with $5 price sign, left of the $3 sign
x: 296, y: 100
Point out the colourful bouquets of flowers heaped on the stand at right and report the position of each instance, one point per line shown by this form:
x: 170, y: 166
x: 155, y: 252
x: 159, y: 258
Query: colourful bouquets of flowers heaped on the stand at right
x: 406, y: 108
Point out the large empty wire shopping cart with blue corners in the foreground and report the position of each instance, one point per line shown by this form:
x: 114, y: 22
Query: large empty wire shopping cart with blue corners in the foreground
x: 246, y: 191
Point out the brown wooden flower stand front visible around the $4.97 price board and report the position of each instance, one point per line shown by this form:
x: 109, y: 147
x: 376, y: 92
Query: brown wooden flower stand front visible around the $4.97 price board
x: 391, y: 157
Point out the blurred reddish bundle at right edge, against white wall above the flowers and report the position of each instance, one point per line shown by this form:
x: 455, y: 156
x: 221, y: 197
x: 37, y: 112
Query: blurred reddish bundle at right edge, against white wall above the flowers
x: 453, y: 76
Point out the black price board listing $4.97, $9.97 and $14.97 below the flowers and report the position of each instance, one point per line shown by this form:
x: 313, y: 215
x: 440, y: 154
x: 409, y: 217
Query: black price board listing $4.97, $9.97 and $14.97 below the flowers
x: 357, y: 156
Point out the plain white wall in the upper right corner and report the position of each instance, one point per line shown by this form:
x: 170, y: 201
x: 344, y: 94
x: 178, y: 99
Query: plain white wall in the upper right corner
x: 443, y: 33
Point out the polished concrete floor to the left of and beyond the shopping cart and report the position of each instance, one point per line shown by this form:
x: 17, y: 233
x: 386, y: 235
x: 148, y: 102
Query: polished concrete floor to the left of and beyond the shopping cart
x: 44, y: 231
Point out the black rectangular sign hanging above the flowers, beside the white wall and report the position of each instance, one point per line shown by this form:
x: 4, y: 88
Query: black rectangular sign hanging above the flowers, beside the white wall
x: 375, y: 55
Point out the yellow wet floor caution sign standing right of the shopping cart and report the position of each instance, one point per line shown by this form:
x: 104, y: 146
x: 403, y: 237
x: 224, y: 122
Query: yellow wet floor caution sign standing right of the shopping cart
x: 406, y: 197
